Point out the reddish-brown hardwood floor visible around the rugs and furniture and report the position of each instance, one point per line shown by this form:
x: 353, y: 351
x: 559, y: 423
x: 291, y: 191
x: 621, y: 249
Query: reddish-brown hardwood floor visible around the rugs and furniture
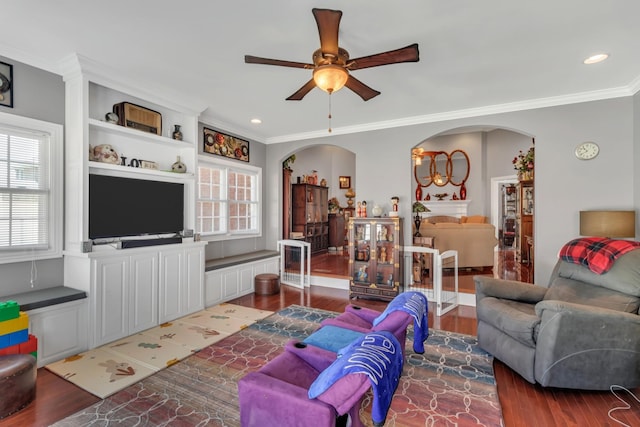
x: 523, y: 404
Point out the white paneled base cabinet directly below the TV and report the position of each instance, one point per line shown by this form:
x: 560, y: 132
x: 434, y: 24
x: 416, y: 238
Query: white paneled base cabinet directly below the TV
x: 136, y: 289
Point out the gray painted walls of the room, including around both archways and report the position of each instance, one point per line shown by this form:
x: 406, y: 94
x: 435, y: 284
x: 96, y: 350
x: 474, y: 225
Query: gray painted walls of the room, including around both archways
x: 564, y: 185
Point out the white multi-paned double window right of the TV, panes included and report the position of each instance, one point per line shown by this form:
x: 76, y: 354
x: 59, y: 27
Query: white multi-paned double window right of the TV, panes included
x: 228, y: 202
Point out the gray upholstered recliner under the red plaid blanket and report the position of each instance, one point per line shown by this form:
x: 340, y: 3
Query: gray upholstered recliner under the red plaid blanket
x: 581, y: 332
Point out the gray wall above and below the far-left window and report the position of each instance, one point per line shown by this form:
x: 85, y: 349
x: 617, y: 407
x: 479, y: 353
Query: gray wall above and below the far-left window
x: 37, y: 94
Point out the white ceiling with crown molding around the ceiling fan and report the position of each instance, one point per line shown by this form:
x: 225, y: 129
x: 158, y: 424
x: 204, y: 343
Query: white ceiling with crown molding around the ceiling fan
x: 476, y: 57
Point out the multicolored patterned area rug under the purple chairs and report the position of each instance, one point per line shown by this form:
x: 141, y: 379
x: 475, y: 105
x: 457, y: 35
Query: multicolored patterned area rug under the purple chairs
x: 451, y: 384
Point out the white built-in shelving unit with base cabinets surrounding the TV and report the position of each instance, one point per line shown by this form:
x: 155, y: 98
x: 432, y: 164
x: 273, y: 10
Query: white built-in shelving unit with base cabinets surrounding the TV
x: 128, y: 289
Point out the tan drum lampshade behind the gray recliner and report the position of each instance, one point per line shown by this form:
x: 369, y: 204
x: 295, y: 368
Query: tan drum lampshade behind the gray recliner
x: 611, y: 224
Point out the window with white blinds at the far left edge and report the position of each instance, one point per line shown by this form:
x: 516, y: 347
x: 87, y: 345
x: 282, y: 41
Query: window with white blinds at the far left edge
x: 30, y: 191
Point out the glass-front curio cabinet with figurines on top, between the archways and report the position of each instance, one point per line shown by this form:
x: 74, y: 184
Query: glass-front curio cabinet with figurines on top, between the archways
x: 375, y: 257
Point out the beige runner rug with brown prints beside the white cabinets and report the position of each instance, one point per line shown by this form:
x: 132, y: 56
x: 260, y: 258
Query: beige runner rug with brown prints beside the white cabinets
x: 112, y: 367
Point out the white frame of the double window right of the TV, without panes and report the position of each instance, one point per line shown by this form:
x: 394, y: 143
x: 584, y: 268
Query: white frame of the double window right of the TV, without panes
x: 208, y: 161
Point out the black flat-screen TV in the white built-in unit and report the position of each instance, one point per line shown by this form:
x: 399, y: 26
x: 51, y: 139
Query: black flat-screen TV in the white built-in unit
x: 120, y: 207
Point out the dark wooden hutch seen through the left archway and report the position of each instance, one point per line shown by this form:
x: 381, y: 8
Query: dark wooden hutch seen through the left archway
x: 310, y: 214
